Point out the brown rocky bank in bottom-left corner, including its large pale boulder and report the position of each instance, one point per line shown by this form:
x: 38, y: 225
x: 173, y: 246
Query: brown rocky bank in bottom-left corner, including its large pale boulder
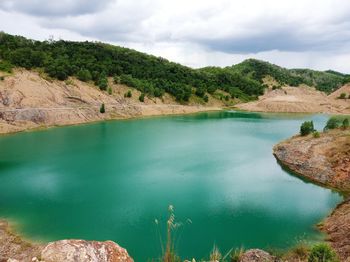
x: 13, y: 248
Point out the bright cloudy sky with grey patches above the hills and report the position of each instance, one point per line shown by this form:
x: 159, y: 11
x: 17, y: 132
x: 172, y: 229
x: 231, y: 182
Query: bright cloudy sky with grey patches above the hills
x: 197, y: 33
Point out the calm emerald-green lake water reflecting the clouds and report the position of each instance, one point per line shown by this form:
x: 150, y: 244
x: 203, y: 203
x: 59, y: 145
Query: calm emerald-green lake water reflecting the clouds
x: 111, y: 180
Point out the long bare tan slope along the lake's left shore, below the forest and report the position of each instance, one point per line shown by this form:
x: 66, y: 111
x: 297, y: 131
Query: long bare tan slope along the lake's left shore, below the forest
x: 29, y: 101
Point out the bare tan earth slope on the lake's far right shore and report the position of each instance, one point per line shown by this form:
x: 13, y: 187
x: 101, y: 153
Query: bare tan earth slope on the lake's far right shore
x: 300, y: 100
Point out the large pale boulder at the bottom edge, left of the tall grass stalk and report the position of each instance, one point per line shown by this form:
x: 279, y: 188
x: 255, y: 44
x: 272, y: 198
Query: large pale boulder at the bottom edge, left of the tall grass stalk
x: 84, y: 251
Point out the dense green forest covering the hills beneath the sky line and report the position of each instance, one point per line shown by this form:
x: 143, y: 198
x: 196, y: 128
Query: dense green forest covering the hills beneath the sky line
x: 94, y: 61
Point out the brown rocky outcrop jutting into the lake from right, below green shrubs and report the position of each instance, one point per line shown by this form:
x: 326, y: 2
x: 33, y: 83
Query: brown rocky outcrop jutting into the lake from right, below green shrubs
x: 324, y: 160
